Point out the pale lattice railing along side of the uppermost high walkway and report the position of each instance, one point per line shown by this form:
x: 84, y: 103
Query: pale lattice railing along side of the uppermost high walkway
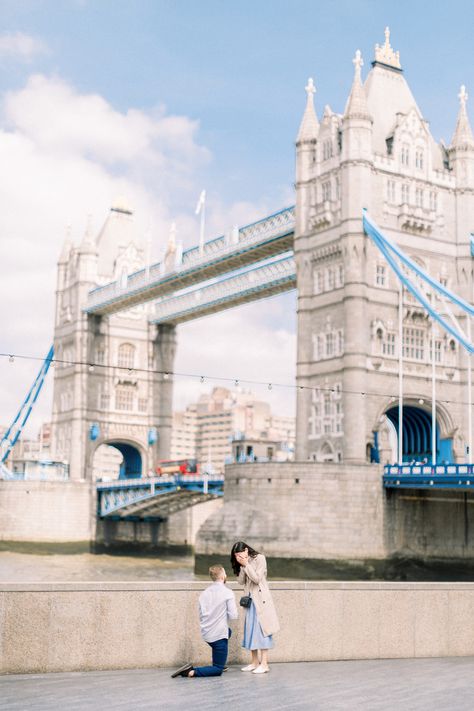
x: 280, y: 223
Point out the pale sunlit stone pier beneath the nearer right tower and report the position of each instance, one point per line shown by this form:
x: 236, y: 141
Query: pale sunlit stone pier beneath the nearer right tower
x: 303, y: 509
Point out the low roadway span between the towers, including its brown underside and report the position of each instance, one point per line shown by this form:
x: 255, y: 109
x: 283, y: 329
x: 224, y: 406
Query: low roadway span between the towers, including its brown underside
x: 156, y: 497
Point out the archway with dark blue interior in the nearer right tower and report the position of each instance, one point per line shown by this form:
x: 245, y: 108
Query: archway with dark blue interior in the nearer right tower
x: 417, y: 431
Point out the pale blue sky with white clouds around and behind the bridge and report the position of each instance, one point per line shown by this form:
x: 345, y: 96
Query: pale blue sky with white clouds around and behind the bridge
x: 156, y: 100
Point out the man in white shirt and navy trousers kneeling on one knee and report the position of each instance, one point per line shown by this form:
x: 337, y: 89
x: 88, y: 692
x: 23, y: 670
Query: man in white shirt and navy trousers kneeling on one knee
x: 216, y: 607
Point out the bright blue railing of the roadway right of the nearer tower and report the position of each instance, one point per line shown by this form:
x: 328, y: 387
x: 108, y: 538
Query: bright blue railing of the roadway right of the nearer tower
x: 427, y: 476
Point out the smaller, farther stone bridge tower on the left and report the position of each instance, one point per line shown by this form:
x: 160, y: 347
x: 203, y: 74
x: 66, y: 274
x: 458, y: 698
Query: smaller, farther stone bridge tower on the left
x: 104, y: 392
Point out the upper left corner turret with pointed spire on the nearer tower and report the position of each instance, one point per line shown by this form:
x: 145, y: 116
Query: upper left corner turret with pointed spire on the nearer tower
x: 306, y: 158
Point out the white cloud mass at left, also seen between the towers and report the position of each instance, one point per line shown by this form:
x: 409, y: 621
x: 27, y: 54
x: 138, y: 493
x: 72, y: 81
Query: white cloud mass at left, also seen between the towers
x: 66, y: 155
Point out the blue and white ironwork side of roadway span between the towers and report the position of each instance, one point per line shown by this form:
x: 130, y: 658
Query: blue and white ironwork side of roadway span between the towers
x: 116, y: 496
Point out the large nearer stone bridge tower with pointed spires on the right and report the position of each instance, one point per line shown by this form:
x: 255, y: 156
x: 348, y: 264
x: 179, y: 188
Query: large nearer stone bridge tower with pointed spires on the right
x: 378, y: 154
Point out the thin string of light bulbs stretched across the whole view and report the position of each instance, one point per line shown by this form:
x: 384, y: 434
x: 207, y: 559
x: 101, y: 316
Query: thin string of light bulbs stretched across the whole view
x: 217, y: 378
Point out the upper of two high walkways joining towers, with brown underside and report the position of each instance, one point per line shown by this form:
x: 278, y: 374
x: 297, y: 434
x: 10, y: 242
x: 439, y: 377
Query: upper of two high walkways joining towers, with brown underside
x: 246, y: 246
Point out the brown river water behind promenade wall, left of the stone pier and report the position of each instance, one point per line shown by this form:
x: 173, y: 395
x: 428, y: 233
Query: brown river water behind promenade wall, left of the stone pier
x: 82, y: 567
